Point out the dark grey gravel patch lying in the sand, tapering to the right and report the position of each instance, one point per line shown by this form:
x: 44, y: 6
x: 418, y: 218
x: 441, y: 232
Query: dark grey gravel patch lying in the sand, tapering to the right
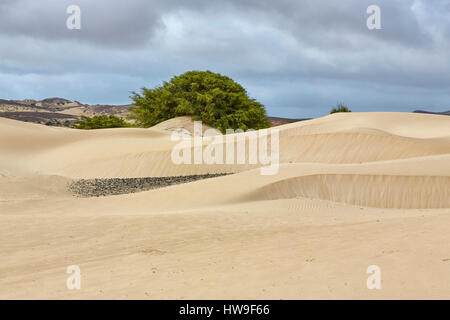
x: 113, y: 186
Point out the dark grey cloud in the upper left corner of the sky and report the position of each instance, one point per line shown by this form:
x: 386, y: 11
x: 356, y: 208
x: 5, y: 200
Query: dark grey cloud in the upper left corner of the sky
x: 117, y: 24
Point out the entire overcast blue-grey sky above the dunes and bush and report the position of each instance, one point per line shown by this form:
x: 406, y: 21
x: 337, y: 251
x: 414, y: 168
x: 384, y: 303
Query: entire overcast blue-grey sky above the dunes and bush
x: 299, y: 58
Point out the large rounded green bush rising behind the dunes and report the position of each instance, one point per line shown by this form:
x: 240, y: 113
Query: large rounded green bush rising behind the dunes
x: 214, y: 99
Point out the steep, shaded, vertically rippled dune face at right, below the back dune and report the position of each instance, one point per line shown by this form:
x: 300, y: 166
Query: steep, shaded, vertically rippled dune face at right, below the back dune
x: 381, y: 191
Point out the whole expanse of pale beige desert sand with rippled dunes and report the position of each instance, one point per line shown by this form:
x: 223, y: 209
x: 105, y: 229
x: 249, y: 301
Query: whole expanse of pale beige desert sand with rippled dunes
x: 353, y: 190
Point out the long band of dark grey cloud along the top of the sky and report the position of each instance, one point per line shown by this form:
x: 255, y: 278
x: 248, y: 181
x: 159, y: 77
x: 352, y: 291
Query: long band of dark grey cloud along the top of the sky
x: 131, y: 23
